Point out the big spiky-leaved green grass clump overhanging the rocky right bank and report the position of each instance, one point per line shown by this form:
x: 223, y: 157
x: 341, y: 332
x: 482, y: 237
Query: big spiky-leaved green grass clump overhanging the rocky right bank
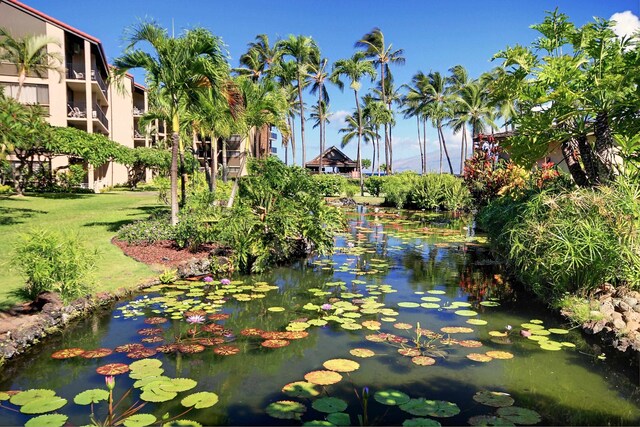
x: 570, y: 241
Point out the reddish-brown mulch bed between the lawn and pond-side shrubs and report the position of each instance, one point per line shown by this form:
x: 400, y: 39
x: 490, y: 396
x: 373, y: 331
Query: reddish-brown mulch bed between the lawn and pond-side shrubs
x: 163, y: 252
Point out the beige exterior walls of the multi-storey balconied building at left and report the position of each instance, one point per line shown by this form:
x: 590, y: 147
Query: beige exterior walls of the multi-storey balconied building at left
x: 78, y: 85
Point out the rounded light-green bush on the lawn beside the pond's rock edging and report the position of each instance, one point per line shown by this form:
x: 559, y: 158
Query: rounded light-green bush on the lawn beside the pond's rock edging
x: 54, y: 262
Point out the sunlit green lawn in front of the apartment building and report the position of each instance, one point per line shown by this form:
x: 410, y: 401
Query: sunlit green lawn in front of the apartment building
x: 96, y: 217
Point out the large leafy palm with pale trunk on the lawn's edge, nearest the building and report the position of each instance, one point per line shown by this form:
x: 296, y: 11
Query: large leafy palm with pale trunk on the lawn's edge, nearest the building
x: 180, y: 66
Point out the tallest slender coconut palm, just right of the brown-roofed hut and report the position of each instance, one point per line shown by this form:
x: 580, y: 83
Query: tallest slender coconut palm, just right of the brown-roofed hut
x: 374, y: 47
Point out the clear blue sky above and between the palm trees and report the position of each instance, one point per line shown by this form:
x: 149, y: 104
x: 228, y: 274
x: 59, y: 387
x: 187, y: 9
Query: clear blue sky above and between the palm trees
x: 434, y: 34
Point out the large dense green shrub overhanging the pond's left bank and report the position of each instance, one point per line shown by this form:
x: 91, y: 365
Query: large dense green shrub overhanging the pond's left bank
x: 280, y: 215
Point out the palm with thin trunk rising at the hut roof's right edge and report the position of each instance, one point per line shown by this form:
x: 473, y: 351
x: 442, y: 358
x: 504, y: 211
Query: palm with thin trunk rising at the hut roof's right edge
x: 355, y: 68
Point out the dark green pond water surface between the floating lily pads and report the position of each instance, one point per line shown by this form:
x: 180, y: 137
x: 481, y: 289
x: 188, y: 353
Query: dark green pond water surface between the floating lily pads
x: 569, y: 386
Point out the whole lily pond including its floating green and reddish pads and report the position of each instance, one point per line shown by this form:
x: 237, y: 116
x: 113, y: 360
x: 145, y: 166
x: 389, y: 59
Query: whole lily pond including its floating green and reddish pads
x: 409, y: 321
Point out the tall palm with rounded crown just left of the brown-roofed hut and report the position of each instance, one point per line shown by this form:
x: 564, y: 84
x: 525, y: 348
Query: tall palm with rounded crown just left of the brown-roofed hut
x: 304, y: 51
